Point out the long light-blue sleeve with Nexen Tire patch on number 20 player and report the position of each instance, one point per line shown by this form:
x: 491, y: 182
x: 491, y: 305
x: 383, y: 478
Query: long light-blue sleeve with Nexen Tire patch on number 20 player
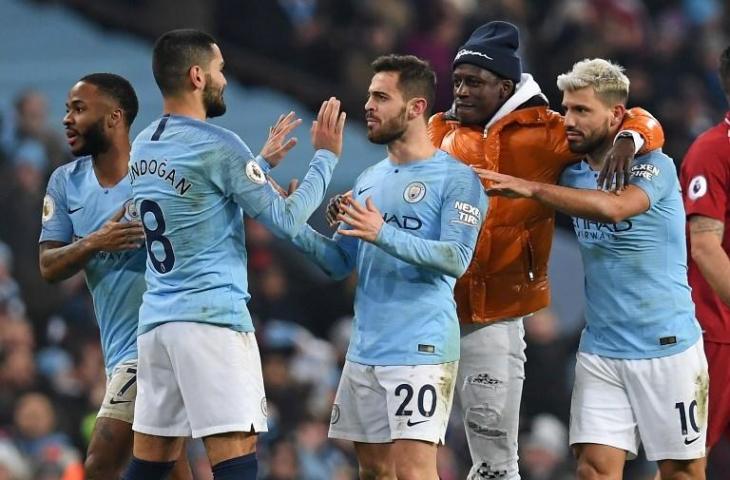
x: 463, y: 208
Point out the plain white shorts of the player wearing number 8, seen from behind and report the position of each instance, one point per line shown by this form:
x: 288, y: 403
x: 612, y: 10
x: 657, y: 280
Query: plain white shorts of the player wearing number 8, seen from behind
x: 197, y: 379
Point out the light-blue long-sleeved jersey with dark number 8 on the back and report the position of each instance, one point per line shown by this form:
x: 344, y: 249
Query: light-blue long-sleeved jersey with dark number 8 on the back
x: 191, y: 180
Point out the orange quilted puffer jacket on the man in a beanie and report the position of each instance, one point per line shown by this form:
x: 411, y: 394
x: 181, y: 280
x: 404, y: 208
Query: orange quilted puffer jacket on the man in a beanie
x: 508, y: 274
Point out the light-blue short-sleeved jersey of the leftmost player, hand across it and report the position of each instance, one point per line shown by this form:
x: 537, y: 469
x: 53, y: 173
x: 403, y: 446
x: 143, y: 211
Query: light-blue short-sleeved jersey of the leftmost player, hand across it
x: 75, y: 206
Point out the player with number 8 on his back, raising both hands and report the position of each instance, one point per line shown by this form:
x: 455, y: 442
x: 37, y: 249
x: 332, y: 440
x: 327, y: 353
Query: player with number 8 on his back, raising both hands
x: 199, y: 369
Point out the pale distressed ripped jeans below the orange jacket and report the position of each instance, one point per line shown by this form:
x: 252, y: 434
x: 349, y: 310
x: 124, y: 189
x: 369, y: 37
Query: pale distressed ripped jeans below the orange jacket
x: 489, y: 390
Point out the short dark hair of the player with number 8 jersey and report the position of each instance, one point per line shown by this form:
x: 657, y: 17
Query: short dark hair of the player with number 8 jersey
x: 173, y: 55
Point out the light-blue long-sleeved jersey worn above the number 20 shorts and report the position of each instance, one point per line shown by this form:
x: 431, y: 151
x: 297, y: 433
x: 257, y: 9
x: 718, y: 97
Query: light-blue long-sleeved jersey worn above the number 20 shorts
x: 405, y: 312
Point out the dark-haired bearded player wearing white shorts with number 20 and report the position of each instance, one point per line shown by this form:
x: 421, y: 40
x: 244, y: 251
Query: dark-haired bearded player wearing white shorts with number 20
x: 409, y: 231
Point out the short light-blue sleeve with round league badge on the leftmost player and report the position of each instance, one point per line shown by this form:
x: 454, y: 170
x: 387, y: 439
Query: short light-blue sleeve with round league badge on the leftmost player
x: 55, y: 221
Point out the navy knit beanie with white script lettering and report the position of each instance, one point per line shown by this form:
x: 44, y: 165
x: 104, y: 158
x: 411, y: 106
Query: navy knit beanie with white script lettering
x: 493, y: 46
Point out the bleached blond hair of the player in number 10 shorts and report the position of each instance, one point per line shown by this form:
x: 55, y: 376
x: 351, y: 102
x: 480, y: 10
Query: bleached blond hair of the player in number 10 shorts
x: 606, y: 78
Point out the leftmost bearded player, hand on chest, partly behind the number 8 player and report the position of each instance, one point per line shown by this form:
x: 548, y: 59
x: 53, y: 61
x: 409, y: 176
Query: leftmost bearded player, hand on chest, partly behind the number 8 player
x: 89, y: 224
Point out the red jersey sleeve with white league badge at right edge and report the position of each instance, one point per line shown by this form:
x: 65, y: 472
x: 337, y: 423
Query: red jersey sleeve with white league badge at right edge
x: 705, y: 184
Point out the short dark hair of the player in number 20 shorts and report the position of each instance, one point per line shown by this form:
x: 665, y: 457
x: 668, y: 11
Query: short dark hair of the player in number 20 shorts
x: 416, y: 77
